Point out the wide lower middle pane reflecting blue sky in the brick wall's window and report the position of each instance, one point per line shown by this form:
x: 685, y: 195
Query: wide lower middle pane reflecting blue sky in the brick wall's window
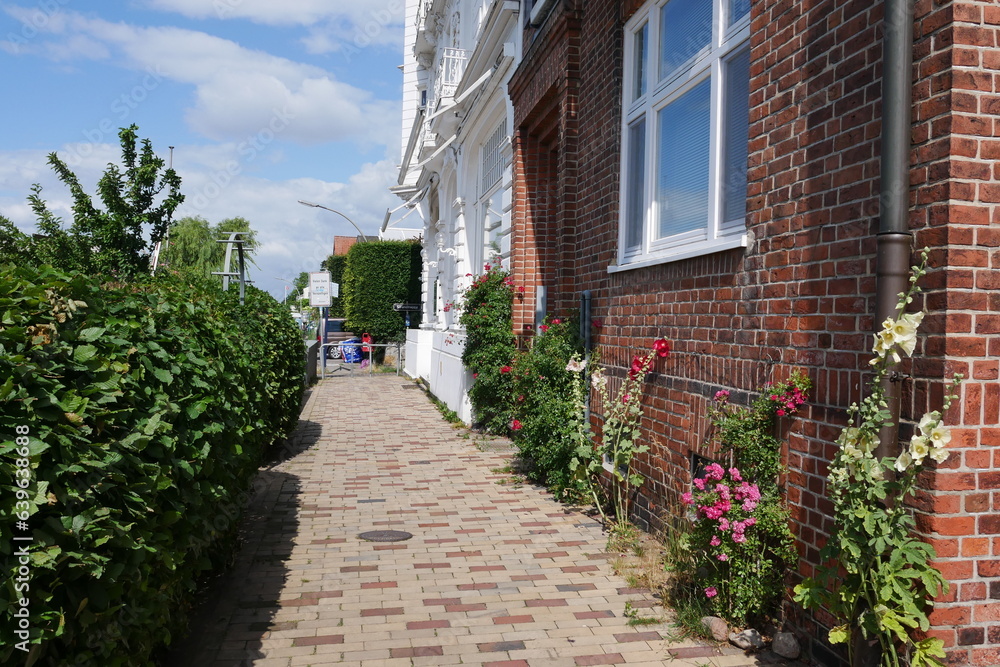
x: 682, y: 189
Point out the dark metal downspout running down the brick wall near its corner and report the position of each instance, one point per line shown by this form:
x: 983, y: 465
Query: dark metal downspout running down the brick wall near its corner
x: 894, y: 238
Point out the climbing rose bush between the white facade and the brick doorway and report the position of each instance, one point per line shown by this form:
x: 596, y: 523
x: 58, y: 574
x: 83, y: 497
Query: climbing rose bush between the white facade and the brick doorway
x: 487, y: 311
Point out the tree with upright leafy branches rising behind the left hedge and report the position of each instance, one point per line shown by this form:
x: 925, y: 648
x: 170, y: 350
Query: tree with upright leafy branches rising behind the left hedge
x: 139, y: 199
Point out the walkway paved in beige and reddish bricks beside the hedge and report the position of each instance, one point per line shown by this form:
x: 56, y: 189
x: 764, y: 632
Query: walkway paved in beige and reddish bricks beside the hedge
x: 495, y: 574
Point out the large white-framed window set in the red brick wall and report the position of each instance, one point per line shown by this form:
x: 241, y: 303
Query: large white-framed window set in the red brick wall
x: 684, y: 139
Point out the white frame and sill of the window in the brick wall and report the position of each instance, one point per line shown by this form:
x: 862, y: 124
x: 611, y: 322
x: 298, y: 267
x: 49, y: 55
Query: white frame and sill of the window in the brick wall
x: 709, y: 63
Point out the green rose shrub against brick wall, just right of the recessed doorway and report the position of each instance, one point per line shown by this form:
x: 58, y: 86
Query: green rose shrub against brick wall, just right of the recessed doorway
x: 545, y: 406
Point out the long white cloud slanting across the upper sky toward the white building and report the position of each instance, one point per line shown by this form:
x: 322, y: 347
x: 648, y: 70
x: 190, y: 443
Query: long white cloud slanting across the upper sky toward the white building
x: 239, y: 93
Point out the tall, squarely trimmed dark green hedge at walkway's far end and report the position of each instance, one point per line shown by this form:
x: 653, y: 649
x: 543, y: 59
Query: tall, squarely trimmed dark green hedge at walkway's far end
x: 379, y: 274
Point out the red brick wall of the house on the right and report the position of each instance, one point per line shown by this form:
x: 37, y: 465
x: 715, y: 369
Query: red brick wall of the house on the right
x: 802, y: 293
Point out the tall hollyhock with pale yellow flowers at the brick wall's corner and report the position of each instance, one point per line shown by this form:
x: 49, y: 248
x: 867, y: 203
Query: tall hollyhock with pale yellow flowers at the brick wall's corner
x: 873, y: 545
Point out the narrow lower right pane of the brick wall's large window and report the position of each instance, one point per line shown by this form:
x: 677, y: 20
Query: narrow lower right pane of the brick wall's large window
x: 737, y: 122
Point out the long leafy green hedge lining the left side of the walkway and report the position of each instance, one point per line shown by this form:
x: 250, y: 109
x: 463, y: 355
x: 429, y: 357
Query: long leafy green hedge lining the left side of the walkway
x: 147, y: 408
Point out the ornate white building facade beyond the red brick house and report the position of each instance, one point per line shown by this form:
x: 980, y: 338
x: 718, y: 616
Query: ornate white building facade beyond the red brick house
x: 456, y: 168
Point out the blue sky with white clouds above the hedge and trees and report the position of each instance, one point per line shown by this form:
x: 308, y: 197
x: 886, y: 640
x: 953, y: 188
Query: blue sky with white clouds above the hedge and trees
x: 266, y: 102
